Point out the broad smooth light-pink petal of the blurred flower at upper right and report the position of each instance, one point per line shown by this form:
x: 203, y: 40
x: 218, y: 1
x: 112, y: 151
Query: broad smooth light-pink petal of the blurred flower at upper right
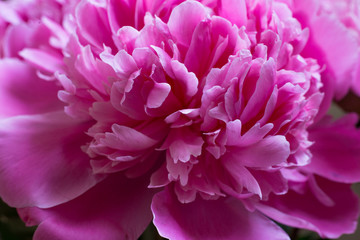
x: 330, y: 42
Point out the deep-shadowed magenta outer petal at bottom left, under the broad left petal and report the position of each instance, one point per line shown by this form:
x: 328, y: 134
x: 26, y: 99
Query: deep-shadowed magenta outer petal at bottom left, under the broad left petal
x: 116, y: 208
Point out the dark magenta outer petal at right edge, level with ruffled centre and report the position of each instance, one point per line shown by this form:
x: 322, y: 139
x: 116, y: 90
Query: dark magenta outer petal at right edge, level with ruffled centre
x: 332, y: 142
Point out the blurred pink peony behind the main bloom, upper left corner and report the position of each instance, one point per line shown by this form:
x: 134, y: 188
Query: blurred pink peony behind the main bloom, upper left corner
x: 21, y: 28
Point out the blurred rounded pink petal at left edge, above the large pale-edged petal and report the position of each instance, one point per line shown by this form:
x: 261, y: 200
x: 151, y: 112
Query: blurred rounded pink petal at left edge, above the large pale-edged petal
x: 22, y: 92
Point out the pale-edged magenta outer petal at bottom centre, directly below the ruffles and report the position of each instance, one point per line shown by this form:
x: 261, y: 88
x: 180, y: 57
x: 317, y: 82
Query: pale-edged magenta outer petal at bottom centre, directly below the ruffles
x: 225, y: 219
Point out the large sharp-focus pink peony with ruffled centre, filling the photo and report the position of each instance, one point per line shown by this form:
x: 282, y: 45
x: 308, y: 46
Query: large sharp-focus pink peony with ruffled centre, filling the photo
x: 202, y: 115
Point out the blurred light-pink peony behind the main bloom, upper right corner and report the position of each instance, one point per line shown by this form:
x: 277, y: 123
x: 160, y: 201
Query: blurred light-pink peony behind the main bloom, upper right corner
x: 334, y: 41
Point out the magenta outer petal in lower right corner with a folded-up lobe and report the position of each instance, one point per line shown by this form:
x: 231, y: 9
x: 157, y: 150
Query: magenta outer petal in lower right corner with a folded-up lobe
x: 306, y: 211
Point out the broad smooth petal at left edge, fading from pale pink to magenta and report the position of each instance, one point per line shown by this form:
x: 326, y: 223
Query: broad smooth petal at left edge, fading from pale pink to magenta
x: 41, y: 161
